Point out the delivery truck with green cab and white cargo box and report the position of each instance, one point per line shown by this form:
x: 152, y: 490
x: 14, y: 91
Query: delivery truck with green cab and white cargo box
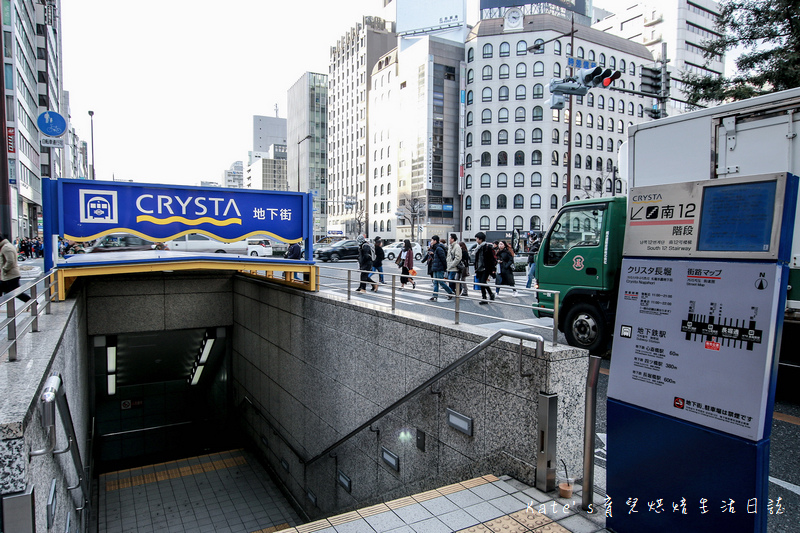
x: 581, y: 253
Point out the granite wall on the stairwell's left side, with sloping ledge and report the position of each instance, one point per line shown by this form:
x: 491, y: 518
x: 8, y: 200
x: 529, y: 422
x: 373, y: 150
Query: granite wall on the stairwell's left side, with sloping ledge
x: 59, y: 347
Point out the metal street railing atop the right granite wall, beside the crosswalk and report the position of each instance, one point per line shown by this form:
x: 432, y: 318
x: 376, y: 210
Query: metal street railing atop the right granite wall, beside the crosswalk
x: 390, y: 297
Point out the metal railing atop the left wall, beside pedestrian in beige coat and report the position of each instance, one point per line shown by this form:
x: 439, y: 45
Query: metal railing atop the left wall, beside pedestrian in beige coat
x: 18, y: 321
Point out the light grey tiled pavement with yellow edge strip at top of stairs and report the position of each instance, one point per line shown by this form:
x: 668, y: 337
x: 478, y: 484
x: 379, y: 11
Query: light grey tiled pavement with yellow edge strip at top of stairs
x: 481, y: 505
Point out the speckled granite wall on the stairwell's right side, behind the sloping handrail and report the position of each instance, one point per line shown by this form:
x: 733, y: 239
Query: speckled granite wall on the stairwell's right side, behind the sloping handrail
x: 316, y: 368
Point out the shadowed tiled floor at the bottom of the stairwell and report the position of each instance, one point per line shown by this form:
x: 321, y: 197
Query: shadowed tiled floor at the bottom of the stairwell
x: 227, y: 492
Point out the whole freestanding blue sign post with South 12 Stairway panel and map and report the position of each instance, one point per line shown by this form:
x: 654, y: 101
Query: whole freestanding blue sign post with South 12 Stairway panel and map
x: 694, y: 363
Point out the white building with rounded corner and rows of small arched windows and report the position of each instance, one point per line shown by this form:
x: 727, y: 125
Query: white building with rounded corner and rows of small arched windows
x: 516, y: 146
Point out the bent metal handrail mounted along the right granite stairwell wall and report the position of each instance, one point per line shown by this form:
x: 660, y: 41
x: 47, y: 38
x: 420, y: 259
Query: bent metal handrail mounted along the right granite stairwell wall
x: 408, y: 396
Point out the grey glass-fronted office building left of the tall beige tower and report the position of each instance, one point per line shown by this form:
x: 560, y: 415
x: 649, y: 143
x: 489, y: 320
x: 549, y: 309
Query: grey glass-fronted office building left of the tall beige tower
x: 307, y: 157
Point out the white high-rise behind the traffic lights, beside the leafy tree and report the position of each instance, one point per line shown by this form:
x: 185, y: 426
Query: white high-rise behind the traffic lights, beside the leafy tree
x: 683, y: 25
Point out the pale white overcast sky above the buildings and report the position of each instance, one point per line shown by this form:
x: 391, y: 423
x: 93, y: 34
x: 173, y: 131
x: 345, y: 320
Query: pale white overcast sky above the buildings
x: 174, y: 85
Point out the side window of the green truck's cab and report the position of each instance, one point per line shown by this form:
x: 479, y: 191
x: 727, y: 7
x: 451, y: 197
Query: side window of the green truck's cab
x: 580, y: 226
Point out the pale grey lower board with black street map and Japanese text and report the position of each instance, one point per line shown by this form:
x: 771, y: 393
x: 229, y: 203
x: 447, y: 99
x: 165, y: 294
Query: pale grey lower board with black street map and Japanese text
x: 686, y: 346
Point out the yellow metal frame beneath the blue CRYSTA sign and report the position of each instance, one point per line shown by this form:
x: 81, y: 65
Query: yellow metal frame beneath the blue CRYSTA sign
x: 67, y: 276
